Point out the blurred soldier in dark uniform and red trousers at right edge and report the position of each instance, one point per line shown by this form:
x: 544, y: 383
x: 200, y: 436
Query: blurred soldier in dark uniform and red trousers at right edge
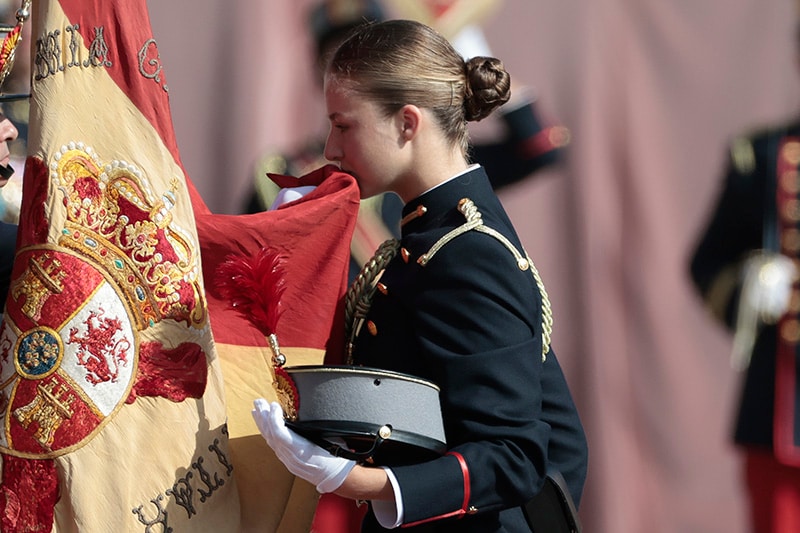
x: 745, y: 269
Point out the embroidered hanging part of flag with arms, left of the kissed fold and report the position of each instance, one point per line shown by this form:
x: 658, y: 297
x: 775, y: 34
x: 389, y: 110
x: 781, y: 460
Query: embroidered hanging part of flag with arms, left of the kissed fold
x: 110, y: 387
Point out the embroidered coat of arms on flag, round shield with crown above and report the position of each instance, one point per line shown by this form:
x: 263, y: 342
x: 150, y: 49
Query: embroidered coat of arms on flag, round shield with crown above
x: 69, y: 349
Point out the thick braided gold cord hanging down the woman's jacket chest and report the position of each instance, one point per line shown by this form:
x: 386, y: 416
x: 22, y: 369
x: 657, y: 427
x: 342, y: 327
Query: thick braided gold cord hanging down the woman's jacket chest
x: 360, y: 294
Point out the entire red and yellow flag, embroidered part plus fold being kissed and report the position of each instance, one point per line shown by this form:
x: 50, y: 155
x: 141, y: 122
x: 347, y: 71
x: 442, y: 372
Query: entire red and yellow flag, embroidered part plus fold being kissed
x: 115, y: 415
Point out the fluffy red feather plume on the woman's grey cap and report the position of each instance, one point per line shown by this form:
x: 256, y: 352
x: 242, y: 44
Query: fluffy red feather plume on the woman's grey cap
x: 254, y: 286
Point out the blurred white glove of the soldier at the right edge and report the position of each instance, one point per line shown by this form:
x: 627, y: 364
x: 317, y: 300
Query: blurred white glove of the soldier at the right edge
x: 767, y: 287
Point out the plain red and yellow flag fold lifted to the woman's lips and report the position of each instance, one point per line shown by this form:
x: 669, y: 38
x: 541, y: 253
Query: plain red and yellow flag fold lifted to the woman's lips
x: 313, y: 237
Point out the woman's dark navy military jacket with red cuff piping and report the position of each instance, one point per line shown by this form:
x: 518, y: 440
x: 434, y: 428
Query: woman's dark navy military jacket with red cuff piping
x: 471, y: 321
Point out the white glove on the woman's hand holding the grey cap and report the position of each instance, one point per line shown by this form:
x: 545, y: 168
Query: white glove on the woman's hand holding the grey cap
x: 301, y: 457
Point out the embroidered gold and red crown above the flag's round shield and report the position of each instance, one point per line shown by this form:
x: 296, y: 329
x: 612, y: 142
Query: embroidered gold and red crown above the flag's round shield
x: 114, y: 219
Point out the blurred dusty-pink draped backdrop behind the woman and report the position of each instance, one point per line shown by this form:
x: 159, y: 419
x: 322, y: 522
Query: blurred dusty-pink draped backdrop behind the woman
x: 652, y: 92
